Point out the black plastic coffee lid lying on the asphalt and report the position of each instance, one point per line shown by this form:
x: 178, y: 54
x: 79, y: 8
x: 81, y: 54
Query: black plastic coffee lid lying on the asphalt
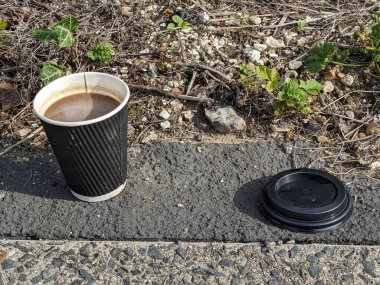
x: 306, y: 200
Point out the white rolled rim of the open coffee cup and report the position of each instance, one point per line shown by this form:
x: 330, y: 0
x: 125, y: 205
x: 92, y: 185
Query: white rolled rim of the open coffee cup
x: 86, y: 122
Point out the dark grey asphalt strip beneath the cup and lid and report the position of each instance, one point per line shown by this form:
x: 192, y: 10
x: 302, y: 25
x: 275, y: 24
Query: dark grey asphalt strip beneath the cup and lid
x: 218, y: 185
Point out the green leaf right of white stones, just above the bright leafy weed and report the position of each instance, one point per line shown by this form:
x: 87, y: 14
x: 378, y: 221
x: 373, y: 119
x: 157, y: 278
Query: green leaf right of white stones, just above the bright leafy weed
x: 320, y: 56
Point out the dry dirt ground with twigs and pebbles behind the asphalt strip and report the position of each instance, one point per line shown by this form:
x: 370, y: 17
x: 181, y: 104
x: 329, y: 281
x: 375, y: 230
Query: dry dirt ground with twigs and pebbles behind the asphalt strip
x: 202, y: 62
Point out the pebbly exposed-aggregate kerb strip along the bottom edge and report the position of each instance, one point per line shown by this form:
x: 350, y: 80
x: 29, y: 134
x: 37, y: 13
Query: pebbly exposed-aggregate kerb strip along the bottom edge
x: 156, y: 263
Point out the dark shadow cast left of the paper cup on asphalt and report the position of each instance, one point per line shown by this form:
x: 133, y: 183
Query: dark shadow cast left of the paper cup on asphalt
x: 40, y: 176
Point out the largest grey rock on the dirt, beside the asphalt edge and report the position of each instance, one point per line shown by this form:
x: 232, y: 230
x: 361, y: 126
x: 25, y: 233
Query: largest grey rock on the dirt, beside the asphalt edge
x: 225, y: 120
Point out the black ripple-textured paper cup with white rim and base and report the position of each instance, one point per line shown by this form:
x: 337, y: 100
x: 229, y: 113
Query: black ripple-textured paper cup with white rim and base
x: 92, y: 154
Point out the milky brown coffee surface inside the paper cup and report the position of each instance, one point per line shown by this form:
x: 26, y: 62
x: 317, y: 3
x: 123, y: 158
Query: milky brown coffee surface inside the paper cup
x: 81, y: 107
